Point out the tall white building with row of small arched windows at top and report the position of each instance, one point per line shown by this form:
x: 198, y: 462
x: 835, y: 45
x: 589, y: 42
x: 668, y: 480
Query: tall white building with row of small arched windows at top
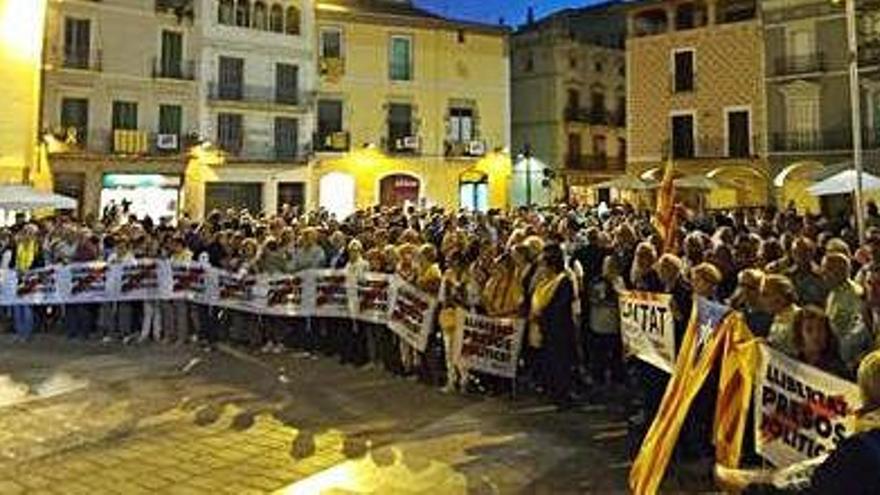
x: 257, y: 82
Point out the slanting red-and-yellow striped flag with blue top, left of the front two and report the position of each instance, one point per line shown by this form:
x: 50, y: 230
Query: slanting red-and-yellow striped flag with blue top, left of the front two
x: 702, y: 344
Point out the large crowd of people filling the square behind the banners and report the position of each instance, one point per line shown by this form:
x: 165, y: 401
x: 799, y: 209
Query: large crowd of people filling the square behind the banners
x: 804, y: 283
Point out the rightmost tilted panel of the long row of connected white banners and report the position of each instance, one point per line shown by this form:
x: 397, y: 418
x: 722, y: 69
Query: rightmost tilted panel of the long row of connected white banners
x: 412, y: 315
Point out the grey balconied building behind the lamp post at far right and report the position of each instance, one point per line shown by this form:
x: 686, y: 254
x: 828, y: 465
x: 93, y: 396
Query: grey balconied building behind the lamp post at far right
x: 808, y: 96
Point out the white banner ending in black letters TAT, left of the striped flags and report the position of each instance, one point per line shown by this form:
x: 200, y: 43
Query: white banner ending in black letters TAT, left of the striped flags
x: 647, y: 328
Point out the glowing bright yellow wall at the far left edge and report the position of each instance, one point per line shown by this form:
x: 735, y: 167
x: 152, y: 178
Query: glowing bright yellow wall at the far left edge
x: 21, y: 46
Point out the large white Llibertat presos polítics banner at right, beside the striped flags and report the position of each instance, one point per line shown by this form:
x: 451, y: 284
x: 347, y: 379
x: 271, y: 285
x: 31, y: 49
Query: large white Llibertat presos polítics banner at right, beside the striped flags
x: 800, y: 411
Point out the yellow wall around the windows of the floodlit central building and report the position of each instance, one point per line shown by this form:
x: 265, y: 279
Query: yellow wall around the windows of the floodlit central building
x: 451, y: 64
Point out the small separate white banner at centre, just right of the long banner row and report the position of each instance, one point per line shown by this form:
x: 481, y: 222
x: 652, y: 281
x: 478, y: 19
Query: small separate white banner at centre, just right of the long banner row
x: 489, y: 345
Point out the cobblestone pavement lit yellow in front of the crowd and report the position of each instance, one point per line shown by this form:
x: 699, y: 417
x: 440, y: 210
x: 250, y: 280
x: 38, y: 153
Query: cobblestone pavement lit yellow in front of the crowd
x: 91, y: 419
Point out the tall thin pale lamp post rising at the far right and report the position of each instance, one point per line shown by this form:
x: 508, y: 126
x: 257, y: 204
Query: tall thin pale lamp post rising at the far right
x: 856, y: 110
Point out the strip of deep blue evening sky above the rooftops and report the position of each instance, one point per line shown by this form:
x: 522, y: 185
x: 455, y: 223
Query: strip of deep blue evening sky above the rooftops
x: 488, y: 11
